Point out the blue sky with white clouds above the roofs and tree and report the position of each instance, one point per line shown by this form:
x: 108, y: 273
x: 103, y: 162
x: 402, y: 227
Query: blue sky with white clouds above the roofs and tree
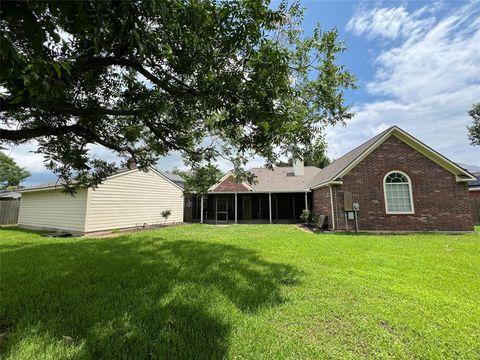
x: 417, y: 64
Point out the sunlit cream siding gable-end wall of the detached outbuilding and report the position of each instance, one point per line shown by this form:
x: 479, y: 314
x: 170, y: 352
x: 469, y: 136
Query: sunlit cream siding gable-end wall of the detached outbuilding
x: 133, y: 199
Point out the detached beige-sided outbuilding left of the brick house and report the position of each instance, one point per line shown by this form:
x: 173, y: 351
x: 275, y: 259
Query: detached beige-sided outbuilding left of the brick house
x: 128, y: 199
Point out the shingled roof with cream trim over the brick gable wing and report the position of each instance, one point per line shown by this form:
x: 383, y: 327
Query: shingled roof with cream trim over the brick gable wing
x: 340, y: 167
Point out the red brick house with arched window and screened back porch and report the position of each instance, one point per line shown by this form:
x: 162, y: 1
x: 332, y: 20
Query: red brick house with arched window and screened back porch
x: 392, y: 182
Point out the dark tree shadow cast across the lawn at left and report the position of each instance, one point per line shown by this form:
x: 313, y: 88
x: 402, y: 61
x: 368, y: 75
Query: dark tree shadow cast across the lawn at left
x: 135, y: 297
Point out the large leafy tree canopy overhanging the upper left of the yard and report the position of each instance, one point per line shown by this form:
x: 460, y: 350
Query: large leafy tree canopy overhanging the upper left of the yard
x: 143, y: 78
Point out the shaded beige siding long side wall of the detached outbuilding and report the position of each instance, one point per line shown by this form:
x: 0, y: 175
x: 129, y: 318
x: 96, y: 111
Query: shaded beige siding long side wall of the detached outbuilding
x: 52, y: 209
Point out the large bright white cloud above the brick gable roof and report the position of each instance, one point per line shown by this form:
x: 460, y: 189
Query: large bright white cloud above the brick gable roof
x: 428, y: 84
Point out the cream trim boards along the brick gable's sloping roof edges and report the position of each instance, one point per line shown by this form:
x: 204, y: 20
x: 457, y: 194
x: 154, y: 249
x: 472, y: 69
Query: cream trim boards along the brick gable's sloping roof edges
x: 461, y: 175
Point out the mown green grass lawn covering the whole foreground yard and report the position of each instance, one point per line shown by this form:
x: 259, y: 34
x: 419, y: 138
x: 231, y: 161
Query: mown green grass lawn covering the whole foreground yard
x: 243, y: 292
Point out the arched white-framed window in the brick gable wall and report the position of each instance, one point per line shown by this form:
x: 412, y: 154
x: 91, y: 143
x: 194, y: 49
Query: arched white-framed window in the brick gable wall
x: 398, y: 193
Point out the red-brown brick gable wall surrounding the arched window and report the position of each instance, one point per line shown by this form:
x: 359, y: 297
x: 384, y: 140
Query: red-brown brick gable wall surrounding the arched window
x: 440, y: 203
